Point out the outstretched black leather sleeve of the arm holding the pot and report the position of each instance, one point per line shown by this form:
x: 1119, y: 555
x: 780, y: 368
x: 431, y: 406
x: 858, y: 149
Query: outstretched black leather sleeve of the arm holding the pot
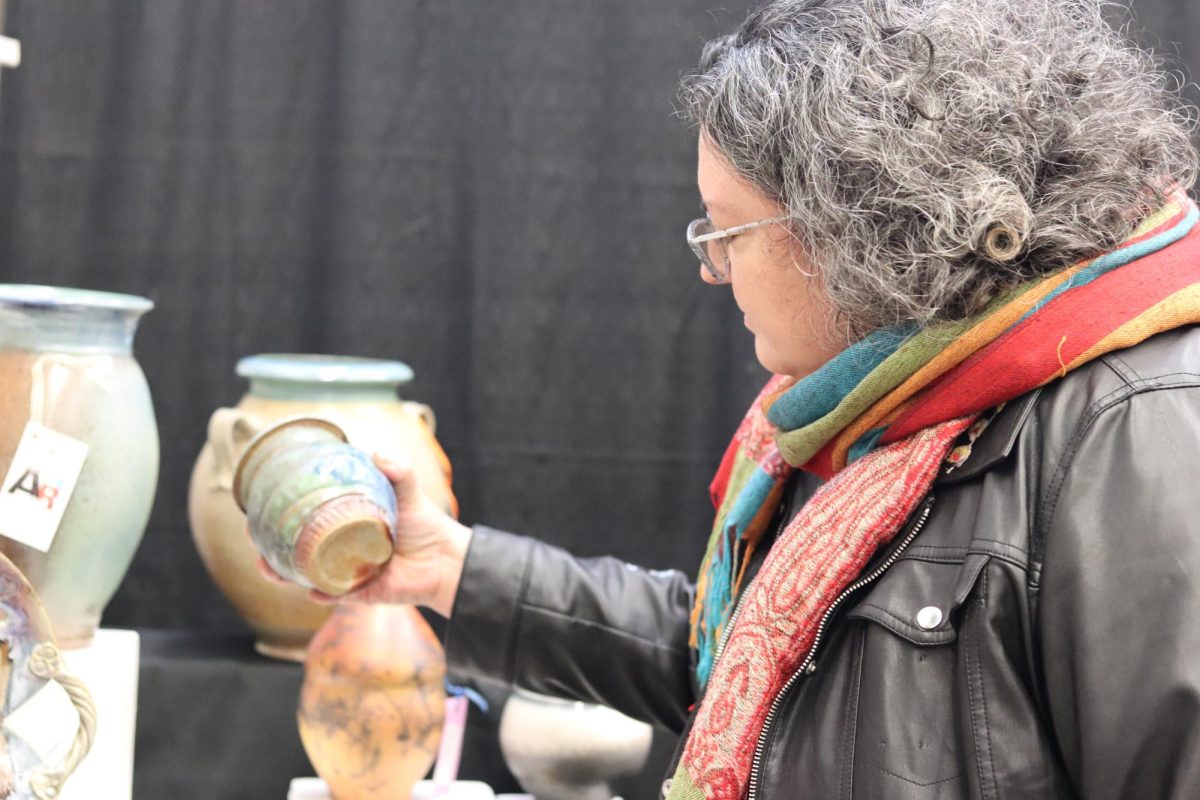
x: 598, y: 630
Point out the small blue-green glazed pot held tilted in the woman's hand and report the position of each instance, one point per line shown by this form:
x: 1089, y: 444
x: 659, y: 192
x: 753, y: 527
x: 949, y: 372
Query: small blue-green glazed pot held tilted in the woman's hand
x: 320, y: 512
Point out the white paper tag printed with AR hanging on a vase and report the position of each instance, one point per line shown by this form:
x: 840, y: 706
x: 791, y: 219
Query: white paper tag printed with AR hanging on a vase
x: 38, y: 489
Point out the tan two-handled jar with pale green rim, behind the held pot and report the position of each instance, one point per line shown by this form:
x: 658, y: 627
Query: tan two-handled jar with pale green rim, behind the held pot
x: 361, y: 396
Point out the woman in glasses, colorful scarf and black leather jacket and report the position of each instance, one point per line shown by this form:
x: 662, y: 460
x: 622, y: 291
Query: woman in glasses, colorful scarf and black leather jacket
x: 957, y: 546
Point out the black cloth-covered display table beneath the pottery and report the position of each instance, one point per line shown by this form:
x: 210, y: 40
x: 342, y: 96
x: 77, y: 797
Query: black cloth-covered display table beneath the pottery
x: 218, y: 720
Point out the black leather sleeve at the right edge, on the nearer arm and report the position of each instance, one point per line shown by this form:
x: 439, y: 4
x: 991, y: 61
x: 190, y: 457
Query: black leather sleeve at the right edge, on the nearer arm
x: 1119, y: 598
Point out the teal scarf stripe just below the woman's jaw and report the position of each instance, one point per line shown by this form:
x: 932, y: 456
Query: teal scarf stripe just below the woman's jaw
x: 820, y: 394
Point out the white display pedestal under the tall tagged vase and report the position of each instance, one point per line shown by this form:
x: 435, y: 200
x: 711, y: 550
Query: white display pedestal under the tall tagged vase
x: 110, y: 669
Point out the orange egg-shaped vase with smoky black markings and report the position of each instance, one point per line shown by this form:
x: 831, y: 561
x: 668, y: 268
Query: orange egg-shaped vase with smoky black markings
x: 374, y: 702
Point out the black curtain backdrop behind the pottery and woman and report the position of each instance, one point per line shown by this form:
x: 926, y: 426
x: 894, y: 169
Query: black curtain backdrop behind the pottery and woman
x: 494, y: 193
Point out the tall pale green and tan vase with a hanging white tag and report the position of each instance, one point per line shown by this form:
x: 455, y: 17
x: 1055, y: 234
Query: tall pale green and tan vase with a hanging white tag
x: 67, y: 364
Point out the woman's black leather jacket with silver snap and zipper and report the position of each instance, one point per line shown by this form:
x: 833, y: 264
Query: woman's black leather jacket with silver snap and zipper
x: 1039, y: 636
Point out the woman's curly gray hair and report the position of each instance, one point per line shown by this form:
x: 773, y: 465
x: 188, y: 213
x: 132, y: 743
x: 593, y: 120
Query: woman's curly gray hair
x: 933, y: 153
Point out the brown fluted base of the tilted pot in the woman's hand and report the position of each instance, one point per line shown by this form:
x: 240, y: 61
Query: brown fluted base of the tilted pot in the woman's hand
x: 345, y: 545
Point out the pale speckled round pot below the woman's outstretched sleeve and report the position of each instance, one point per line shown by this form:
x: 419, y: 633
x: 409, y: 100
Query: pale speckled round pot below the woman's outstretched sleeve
x: 566, y: 750
